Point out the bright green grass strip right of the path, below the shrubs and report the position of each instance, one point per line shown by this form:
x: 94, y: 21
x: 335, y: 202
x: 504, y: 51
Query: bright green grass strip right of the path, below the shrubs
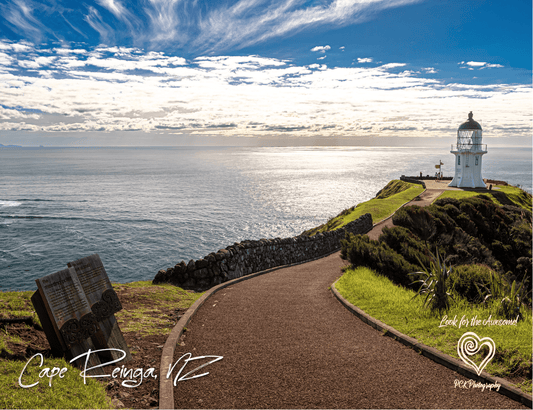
x: 395, y: 306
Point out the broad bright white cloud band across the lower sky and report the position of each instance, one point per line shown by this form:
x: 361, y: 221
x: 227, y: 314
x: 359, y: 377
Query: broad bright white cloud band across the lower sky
x: 115, y: 89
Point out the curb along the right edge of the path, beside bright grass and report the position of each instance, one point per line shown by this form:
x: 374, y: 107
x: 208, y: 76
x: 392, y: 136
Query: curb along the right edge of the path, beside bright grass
x: 431, y: 353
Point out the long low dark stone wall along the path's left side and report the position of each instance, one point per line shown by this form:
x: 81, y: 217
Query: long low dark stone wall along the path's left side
x: 248, y: 257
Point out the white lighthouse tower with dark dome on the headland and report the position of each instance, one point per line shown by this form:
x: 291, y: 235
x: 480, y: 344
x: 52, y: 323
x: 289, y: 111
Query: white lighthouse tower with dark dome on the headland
x: 468, y: 153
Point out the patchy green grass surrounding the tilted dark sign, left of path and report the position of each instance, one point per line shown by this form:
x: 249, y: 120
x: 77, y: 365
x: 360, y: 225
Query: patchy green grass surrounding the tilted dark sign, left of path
x: 148, y: 317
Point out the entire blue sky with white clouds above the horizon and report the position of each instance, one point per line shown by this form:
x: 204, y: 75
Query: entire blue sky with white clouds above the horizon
x: 259, y: 72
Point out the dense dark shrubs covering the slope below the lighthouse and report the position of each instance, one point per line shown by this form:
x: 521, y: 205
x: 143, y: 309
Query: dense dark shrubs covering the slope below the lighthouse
x: 472, y: 230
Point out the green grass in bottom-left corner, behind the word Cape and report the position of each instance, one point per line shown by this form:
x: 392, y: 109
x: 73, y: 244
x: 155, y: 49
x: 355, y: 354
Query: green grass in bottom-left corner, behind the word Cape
x: 68, y: 392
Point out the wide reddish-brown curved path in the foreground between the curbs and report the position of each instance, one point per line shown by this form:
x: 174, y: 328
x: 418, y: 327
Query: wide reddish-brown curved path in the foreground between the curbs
x: 287, y: 342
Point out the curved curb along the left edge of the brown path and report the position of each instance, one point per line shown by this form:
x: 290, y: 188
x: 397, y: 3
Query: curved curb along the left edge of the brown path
x: 166, y: 388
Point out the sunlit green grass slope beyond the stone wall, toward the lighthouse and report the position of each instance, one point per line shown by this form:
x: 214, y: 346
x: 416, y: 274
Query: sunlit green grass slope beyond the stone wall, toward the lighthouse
x: 395, y: 194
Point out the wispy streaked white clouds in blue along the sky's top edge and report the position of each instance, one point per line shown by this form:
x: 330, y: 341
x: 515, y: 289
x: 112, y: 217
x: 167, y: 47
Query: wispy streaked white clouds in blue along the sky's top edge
x: 207, y: 27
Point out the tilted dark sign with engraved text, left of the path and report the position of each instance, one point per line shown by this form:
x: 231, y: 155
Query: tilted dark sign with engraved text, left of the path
x: 76, y: 307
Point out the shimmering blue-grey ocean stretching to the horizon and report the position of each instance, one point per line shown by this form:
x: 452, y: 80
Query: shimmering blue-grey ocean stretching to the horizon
x: 145, y: 209
